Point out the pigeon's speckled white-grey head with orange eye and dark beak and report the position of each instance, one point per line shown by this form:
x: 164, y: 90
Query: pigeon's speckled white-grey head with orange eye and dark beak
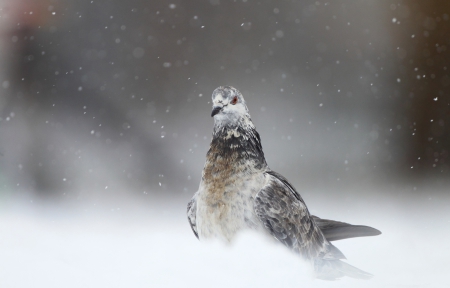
x: 228, y: 105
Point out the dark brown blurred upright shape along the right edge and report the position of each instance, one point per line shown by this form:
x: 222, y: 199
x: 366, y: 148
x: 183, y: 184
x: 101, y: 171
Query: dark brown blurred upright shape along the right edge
x: 422, y: 40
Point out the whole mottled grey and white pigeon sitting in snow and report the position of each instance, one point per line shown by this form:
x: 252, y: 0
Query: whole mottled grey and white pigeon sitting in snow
x: 238, y: 191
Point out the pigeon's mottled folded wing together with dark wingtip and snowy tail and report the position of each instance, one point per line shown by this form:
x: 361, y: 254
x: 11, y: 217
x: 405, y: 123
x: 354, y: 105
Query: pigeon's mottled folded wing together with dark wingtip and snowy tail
x: 284, y: 214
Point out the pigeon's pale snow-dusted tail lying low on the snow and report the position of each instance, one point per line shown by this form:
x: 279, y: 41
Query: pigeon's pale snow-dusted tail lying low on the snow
x: 334, y: 269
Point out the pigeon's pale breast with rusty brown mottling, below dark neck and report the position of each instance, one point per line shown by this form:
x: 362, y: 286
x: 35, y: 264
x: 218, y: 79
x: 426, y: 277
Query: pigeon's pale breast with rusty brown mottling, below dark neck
x: 226, y: 198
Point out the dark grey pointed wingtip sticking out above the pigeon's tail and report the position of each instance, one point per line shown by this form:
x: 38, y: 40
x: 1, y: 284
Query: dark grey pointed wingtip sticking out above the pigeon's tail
x: 335, y: 230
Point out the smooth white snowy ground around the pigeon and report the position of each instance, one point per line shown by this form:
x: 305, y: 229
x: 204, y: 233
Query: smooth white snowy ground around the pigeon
x: 149, y: 244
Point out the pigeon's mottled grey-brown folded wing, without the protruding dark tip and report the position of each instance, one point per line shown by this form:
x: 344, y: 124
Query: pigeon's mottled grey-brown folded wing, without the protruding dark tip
x: 284, y: 214
